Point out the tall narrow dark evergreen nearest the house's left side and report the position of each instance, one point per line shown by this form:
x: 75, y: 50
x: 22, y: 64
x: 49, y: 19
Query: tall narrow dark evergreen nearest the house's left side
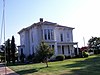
x: 13, y: 49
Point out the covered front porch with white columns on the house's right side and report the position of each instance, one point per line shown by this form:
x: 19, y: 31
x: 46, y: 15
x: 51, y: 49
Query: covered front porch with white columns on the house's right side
x: 66, y: 49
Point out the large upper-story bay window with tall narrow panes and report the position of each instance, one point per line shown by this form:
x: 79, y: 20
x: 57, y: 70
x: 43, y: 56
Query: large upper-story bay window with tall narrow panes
x: 48, y: 34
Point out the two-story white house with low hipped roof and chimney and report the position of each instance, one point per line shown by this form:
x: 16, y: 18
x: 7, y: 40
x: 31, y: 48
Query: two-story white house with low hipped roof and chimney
x: 58, y: 37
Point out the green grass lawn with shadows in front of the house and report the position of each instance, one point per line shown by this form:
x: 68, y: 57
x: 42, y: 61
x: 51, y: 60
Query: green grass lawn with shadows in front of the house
x: 76, y: 66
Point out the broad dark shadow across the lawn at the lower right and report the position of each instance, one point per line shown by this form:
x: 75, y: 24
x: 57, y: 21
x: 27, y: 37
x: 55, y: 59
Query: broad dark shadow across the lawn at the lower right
x: 90, y: 66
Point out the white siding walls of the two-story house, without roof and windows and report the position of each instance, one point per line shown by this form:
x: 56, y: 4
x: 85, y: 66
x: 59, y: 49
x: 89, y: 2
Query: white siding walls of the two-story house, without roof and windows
x: 37, y: 32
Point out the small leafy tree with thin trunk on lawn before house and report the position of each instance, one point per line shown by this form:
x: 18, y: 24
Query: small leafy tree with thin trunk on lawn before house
x: 44, y: 52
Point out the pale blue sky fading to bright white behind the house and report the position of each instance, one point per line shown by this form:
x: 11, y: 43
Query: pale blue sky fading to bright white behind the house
x: 83, y: 15
